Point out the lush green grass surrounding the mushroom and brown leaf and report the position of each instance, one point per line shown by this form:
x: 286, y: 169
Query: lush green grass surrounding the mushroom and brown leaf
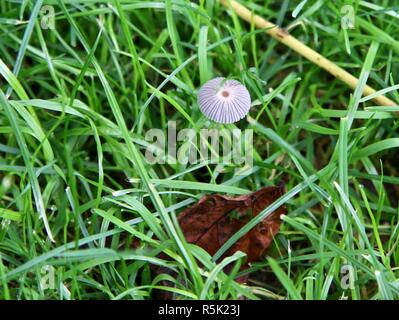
x: 76, y: 193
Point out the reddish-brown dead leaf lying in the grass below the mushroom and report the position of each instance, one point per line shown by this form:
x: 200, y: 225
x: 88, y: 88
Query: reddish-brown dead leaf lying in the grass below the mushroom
x: 215, y: 218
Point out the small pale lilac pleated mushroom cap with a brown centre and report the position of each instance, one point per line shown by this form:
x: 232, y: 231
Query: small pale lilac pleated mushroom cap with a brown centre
x: 224, y: 101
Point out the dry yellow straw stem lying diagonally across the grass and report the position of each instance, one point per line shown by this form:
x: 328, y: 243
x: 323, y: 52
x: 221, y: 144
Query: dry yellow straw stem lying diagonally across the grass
x: 291, y: 42
